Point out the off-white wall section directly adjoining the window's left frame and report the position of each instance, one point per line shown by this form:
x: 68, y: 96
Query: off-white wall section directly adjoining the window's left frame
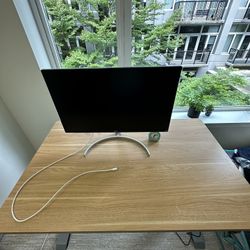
x: 22, y: 87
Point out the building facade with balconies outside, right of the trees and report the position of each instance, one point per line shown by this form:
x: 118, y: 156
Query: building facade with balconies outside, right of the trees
x: 216, y: 34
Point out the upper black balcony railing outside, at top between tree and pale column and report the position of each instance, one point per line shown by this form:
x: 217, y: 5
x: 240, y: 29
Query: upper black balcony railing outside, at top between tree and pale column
x: 212, y: 10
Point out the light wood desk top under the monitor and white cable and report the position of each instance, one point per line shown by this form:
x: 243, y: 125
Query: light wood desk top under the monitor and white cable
x: 188, y: 183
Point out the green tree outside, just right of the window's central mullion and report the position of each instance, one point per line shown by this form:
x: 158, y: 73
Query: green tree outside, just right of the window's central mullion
x: 152, y: 40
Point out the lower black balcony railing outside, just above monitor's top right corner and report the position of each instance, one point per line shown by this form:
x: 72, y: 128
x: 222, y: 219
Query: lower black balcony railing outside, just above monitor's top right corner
x: 188, y: 57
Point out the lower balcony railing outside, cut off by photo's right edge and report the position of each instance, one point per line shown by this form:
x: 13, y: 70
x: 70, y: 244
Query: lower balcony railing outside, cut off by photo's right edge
x: 239, y: 56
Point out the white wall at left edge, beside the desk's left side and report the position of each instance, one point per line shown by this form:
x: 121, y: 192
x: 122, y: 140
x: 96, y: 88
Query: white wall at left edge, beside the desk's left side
x: 15, y: 152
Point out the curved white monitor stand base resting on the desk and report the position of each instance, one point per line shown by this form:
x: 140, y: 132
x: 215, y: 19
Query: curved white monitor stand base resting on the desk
x: 116, y: 137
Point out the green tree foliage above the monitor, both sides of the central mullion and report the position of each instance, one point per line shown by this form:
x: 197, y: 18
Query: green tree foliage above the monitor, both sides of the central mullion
x: 95, y: 24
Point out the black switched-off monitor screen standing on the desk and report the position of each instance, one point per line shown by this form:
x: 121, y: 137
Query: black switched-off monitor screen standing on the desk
x: 131, y: 99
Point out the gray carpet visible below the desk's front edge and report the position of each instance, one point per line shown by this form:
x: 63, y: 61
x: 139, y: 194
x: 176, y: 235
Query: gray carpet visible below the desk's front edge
x: 107, y: 241
